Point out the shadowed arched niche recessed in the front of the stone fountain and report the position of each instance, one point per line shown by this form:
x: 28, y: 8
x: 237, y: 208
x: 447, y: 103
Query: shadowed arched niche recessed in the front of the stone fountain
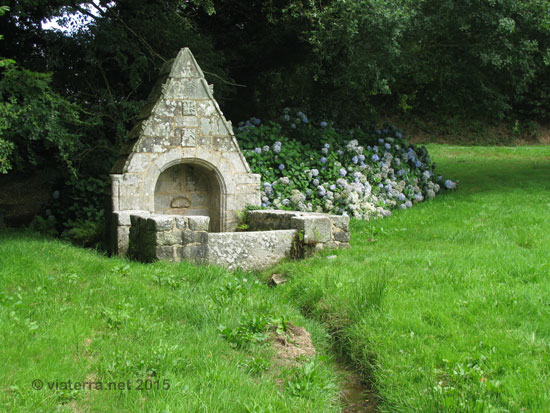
x: 189, y: 189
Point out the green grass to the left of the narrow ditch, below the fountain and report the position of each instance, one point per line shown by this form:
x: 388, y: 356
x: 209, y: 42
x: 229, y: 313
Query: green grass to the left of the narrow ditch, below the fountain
x: 71, y: 314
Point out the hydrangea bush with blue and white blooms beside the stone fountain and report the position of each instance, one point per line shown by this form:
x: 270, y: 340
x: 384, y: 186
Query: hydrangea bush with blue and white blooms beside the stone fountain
x: 315, y: 167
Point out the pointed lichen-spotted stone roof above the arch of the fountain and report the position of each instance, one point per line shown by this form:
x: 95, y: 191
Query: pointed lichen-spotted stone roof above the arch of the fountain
x: 180, y: 112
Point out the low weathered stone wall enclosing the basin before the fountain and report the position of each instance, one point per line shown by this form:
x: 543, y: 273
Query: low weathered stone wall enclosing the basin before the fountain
x: 275, y: 235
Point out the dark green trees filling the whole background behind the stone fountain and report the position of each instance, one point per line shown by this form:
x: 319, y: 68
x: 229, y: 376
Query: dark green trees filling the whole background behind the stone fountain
x: 73, y: 95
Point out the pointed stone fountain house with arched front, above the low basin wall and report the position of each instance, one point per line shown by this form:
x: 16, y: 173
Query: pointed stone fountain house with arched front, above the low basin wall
x: 182, y: 123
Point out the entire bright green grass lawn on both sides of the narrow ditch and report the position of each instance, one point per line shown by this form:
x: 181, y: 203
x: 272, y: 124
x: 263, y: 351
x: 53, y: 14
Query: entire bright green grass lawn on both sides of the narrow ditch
x: 444, y: 307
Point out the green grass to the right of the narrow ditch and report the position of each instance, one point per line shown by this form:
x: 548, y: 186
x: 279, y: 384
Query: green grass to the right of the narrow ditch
x: 449, y: 310
